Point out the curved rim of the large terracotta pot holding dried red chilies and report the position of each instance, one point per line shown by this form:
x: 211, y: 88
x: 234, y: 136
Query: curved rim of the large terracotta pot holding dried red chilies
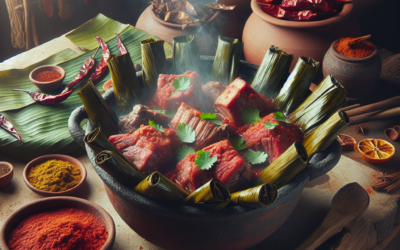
x: 340, y: 17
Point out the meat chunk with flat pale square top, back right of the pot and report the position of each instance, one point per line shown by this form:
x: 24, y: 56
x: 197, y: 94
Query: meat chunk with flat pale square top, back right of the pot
x: 239, y: 96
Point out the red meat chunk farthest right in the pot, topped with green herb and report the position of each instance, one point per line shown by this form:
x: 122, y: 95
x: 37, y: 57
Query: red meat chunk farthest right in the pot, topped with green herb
x: 273, y: 141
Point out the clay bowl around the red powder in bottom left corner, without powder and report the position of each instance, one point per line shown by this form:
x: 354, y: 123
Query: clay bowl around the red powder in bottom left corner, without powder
x: 54, y: 203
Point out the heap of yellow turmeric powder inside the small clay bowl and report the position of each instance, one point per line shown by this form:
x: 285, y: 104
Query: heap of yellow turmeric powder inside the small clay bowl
x: 55, y: 176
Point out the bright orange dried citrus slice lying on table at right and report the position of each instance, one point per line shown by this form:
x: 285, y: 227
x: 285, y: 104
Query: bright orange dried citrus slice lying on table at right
x: 375, y: 150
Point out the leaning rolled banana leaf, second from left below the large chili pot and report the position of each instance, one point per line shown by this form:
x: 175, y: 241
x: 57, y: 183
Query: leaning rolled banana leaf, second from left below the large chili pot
x: 296, y: 88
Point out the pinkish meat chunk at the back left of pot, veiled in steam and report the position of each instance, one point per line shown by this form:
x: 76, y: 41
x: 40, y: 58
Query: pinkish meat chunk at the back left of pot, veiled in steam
x: 165, y: 97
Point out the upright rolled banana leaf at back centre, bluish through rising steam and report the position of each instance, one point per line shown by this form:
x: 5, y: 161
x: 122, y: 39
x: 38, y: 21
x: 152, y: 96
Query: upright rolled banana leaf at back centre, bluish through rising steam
x: 185, y: 54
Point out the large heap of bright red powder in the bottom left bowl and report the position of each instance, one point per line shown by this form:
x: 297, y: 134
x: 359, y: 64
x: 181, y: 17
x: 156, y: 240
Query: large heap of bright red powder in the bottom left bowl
x: 63, y: 229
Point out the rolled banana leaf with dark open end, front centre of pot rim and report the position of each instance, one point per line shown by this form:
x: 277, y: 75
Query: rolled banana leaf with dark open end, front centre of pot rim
x: 214, y: 194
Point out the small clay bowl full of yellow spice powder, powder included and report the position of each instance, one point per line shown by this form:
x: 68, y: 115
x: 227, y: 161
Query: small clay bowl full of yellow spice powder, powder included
x: 51, y: 175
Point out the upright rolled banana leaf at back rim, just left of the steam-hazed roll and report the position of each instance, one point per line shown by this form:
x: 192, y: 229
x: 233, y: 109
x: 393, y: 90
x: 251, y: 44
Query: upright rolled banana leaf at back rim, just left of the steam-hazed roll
x: 153, y: 62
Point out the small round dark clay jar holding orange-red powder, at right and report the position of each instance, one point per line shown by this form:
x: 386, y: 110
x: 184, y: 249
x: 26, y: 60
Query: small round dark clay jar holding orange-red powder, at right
x: 358, y: 75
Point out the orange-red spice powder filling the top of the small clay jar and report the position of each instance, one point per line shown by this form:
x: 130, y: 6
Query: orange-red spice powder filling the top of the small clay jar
x: 359, y: 50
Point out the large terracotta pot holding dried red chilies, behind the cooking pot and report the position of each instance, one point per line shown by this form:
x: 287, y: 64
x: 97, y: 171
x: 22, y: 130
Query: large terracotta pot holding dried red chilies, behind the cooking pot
x: 309, y: 39
